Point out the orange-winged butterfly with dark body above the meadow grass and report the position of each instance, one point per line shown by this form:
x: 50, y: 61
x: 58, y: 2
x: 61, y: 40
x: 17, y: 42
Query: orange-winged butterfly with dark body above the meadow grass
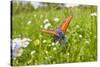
x: 59, y: 33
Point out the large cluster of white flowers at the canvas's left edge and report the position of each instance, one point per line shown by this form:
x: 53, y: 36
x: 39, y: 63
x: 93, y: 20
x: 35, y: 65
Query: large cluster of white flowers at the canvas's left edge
x: 17, y: 44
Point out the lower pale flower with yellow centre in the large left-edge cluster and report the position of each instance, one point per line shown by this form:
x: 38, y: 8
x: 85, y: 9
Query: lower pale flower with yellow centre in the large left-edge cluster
x: 17, y: 51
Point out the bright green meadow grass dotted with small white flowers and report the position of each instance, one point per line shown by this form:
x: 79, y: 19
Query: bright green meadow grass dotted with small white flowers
x: 77, y: 50
